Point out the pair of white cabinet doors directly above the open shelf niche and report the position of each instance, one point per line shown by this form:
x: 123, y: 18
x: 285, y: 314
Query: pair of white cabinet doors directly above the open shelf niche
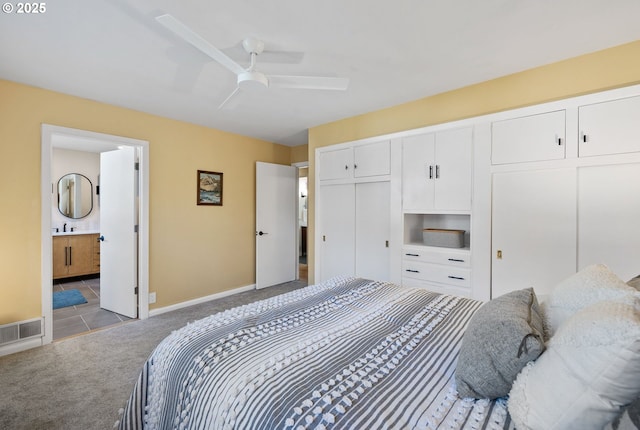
x: 437, y: 170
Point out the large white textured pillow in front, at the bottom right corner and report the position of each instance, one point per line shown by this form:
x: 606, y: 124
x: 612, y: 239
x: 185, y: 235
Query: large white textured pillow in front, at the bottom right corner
x: 590, y: 369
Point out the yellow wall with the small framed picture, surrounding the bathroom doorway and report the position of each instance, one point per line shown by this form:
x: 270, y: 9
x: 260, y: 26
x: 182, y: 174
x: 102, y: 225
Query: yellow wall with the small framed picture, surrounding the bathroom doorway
x: 194, y: 250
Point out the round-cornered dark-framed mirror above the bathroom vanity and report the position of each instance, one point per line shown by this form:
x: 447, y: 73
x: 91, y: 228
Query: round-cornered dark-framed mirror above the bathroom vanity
x: 75, y: 195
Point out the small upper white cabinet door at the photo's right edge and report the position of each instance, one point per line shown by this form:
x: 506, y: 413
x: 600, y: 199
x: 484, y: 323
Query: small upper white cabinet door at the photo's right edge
x: 610, y: 127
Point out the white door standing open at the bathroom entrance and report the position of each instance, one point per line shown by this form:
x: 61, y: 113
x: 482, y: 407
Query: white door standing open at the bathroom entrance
x: 118, y: 250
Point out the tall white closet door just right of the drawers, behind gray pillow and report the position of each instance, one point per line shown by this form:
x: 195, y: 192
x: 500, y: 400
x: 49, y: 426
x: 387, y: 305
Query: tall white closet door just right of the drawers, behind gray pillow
x: 533, y: 230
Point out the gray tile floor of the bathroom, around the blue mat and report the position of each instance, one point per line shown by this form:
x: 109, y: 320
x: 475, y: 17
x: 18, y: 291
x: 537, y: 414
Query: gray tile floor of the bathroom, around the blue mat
x: 74, y: 320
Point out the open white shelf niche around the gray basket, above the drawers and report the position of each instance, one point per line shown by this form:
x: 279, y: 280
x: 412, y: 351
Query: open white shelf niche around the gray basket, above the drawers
x: 415, y: 223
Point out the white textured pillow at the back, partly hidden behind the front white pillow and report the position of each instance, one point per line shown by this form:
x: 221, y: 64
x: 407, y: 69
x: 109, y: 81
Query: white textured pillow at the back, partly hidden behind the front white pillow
x: 592, y: 284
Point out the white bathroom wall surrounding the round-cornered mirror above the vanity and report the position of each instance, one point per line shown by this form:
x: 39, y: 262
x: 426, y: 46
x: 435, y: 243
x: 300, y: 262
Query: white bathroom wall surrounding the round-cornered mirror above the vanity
x: 64, y: 161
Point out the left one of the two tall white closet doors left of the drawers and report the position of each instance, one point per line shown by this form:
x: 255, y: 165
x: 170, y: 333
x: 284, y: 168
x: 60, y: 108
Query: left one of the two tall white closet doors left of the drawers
x: 337, y: 230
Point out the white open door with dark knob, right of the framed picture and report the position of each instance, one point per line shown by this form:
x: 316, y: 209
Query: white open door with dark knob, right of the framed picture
x: 276, y: 223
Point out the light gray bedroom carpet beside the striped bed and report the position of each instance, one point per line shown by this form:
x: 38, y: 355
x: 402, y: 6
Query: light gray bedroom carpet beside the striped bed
x: 82, y: 382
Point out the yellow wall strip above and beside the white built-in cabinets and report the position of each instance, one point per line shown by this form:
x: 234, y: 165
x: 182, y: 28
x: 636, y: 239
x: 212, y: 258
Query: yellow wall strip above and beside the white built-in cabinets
x: 602, y: 70
